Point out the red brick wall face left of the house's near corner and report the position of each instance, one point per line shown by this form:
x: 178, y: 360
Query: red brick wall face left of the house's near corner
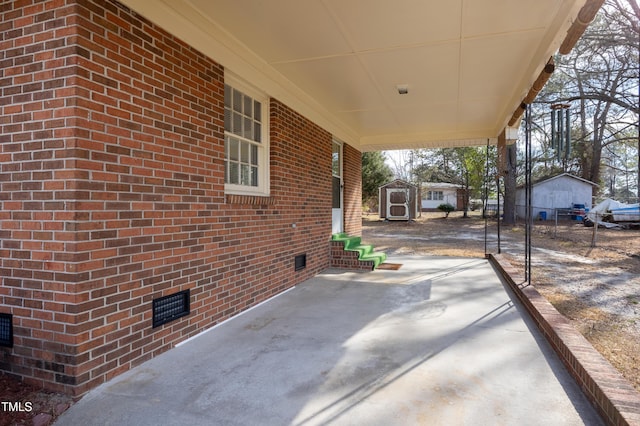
x: 43, y: 188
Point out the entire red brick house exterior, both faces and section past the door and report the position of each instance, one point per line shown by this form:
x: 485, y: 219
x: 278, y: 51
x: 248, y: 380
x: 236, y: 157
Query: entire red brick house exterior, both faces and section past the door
x: 112, y: 193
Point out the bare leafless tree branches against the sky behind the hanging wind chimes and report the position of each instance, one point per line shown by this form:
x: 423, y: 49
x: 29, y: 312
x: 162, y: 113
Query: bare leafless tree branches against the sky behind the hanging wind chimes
x: 599, y: 79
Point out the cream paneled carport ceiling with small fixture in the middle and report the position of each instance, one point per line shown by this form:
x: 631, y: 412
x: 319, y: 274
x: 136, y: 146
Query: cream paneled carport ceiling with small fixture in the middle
x: 467, y: 64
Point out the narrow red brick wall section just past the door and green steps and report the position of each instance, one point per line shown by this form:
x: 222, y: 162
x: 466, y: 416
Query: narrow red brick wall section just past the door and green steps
x: 352, y: 164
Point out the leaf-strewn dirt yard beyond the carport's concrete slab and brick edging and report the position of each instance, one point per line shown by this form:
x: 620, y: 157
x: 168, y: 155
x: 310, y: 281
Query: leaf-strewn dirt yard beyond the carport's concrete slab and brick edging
x: 597, y: 288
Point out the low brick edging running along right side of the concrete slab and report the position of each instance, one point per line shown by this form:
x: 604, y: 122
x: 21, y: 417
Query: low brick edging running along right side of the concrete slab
x: 615, y: 399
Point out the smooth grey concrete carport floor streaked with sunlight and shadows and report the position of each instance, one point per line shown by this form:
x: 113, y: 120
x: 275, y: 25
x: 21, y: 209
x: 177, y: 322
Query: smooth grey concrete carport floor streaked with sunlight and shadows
x: 441, y: 341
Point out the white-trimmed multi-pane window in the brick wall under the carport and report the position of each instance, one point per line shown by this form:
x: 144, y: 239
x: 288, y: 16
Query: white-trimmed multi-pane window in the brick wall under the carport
x: 246, y: 141
